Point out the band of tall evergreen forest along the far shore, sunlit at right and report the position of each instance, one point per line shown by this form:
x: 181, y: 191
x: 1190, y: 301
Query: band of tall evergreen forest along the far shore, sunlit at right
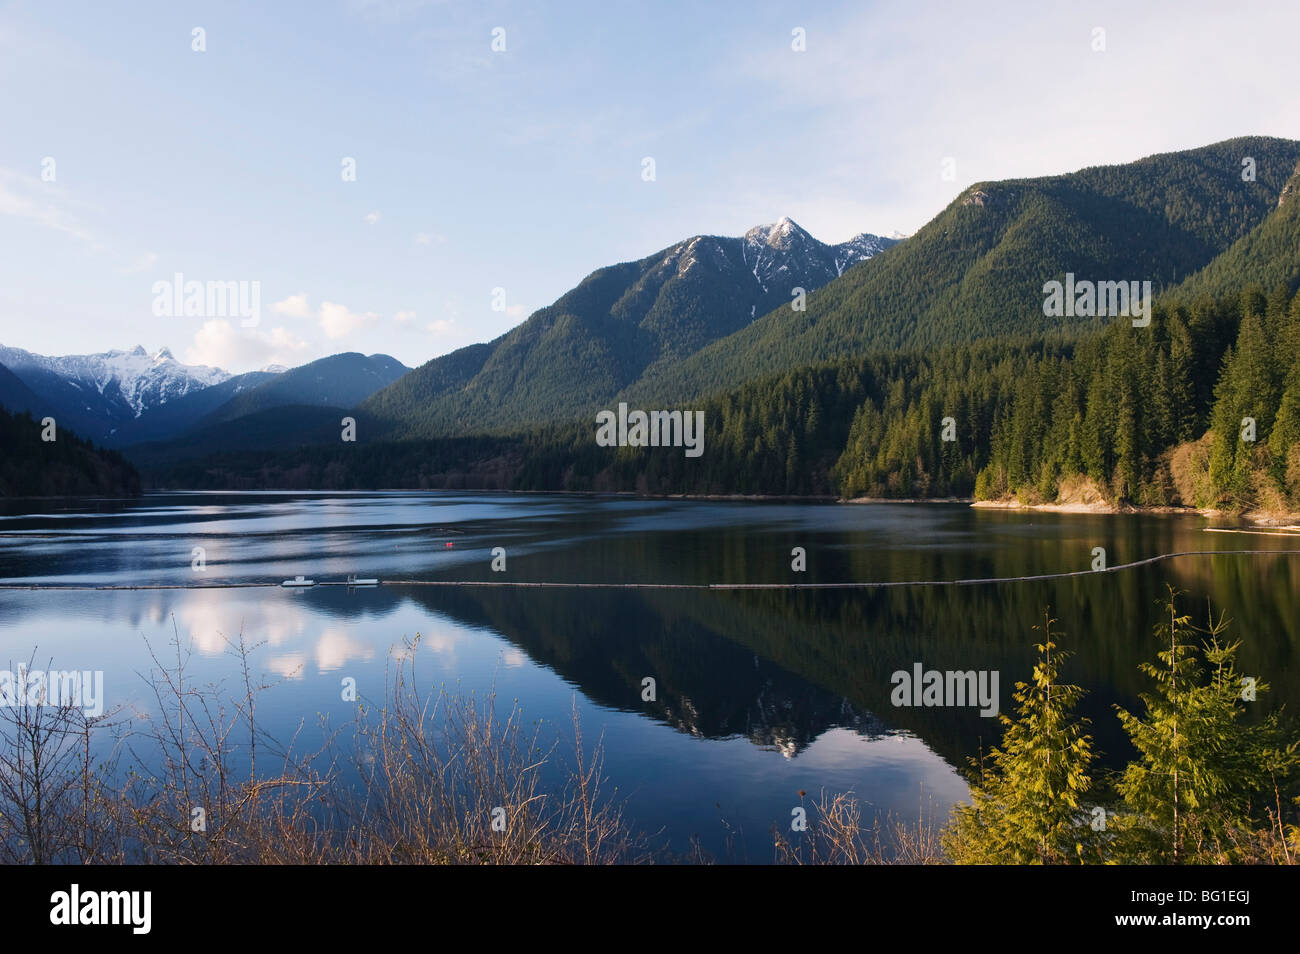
x: 1030, y: 418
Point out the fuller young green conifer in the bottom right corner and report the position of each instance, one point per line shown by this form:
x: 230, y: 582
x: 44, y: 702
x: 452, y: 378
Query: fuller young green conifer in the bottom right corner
x: 1201, y: 787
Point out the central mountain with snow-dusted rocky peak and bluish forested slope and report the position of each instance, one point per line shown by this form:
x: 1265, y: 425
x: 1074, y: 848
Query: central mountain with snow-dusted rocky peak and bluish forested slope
x: 621, y: 326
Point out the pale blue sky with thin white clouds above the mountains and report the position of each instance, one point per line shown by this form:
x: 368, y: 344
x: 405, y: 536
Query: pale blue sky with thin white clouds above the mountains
x: 489, y: 181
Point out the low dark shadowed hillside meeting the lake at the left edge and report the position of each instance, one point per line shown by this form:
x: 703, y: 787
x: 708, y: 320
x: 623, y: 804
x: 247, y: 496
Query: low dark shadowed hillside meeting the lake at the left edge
x: 64, y: 467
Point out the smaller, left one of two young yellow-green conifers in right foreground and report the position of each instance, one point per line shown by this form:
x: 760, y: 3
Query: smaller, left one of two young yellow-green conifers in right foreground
x: 1028, y: 805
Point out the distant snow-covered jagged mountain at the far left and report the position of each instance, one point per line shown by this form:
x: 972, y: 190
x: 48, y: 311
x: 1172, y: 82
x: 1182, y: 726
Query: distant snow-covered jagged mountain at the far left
x: 97, y: 394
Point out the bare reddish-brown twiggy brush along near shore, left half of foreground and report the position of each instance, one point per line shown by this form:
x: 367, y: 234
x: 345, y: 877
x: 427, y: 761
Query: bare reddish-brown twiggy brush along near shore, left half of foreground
x: 445, y: 780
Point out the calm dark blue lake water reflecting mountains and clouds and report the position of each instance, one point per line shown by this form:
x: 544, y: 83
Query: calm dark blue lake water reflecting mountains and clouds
x: 761, y: 693
